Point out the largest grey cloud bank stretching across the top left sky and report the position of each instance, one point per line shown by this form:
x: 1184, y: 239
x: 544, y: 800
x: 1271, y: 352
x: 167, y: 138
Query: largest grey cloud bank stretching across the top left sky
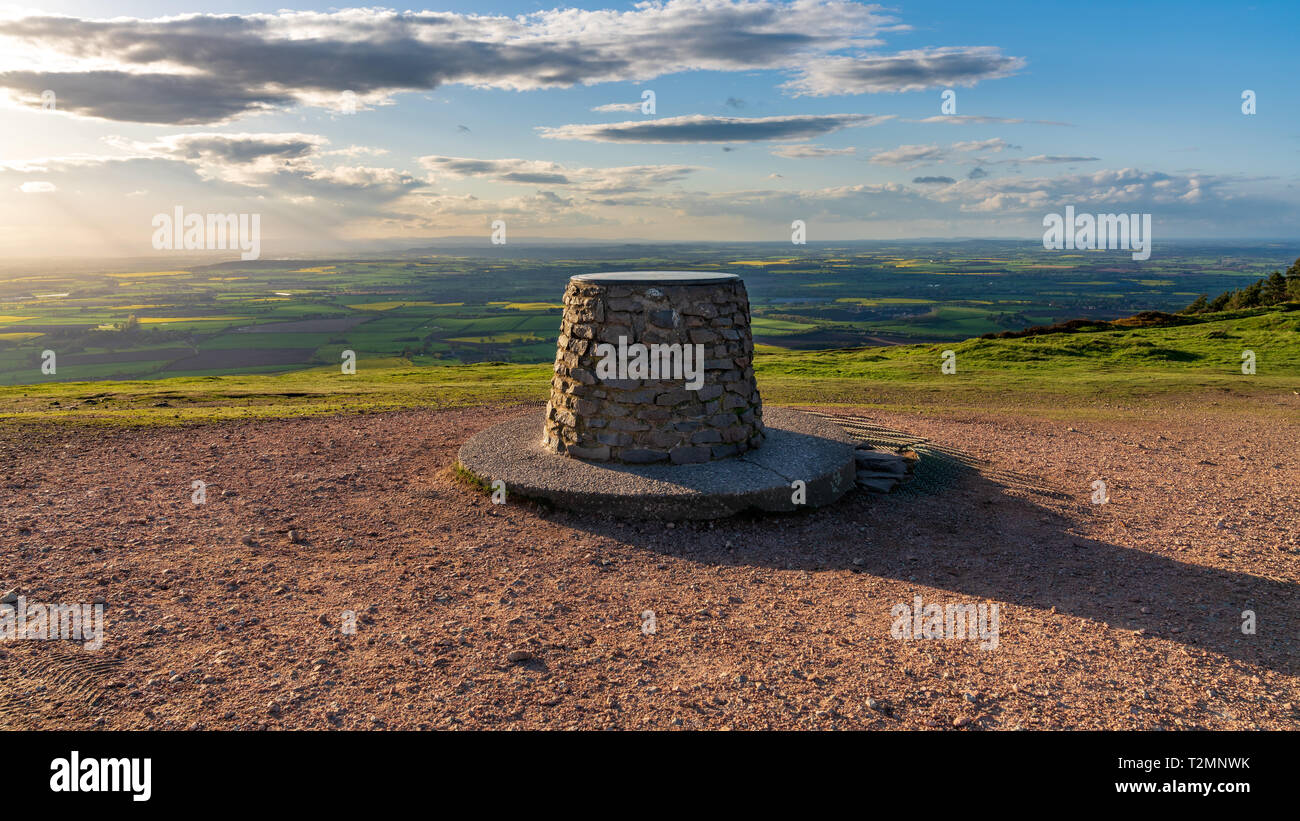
x: 210, y: 68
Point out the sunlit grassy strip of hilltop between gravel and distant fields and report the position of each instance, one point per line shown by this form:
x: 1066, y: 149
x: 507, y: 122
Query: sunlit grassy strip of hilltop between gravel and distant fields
x: 1048, y: 373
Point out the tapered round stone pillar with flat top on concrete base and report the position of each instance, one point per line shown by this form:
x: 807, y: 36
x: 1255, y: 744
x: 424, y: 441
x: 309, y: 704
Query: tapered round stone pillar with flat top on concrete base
x: 642, y: 420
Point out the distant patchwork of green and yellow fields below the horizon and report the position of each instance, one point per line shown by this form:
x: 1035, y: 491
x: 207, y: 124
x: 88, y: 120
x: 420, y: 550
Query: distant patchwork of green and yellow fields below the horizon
x: 436, y: 310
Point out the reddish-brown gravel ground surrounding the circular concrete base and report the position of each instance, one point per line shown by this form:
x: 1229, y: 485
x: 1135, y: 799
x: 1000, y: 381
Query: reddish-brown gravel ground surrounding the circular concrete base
x: 232, y: 615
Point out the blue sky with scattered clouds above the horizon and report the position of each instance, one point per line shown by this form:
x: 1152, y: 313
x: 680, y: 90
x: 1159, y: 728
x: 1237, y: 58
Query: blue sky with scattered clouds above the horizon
x: 766, y: 112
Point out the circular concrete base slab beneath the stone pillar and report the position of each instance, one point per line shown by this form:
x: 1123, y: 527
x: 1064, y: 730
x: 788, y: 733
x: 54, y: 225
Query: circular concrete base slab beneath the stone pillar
x: 799, y: 448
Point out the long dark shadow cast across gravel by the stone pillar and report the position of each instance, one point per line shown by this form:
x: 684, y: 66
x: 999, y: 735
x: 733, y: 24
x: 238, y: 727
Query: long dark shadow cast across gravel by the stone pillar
x: 980, y: 540
